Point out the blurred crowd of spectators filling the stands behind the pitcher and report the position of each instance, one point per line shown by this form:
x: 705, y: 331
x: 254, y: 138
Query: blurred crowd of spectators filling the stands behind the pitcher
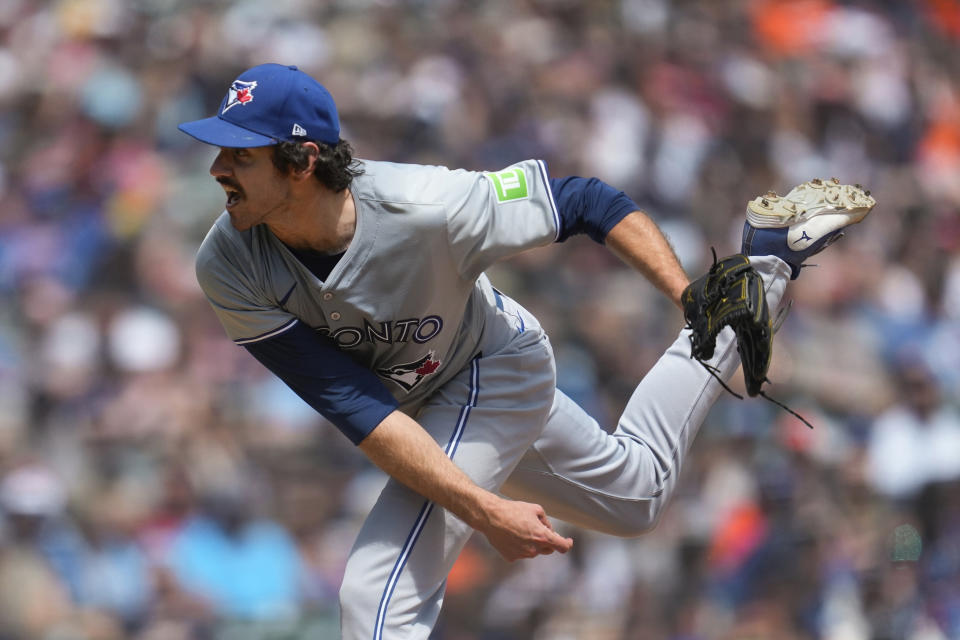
x: 157, y: 483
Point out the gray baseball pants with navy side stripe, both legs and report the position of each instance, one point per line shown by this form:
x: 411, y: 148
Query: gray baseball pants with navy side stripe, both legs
x: 504, y: 423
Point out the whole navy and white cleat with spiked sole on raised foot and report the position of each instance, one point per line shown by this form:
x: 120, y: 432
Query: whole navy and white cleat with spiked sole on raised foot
x: 804, y: 222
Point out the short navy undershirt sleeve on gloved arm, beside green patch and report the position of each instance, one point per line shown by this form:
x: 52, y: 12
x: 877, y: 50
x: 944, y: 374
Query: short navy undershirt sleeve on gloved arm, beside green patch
x: 588, y: 205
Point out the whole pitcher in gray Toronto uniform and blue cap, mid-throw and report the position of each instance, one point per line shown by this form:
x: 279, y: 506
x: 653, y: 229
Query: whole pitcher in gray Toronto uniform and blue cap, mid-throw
x: 361, y: 284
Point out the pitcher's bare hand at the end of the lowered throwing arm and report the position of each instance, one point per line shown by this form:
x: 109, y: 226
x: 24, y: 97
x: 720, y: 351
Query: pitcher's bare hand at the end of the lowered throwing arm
x: 521, y: 530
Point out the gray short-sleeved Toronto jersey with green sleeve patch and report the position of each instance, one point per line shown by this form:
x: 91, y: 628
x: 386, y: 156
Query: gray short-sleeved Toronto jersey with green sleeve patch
x: 408, y: 299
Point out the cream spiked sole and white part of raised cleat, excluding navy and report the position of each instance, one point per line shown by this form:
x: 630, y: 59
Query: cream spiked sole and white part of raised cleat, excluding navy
x: 811, y: 210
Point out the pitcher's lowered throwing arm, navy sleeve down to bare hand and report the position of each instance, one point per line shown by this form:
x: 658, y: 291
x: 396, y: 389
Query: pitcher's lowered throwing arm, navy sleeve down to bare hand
x: 355, y: 400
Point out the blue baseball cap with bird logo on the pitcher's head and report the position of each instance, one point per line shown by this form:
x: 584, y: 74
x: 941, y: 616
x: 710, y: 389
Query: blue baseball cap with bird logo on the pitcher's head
x: 267, y: 104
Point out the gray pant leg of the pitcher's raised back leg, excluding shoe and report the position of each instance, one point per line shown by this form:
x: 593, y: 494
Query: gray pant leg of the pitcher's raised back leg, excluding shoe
x: 619, y: 482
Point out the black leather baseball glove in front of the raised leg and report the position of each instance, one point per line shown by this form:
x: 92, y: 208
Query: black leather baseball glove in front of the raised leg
x: 731, y: 294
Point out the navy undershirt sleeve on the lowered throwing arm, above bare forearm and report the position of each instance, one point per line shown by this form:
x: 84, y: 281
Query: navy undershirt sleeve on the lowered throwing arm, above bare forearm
x: 350, y: 396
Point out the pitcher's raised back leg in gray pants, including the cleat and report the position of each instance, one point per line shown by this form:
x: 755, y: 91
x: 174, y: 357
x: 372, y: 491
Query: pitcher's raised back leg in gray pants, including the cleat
x: 620, y: 482
